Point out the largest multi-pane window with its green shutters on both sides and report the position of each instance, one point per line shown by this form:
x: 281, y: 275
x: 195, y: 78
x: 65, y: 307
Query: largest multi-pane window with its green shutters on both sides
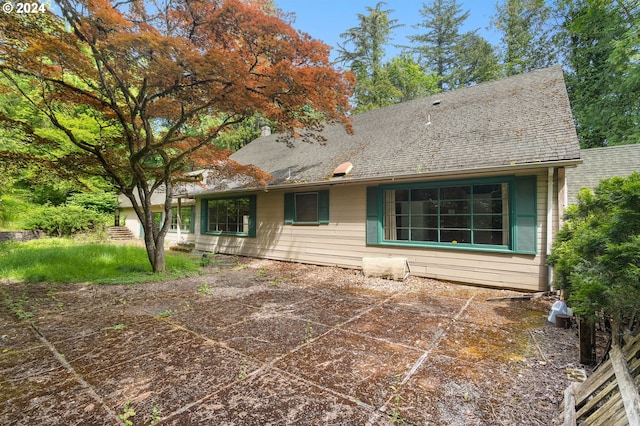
x: 486, y: 214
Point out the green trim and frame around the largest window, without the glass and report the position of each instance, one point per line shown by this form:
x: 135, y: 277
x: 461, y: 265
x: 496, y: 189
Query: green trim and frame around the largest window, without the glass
x: 376, y: 236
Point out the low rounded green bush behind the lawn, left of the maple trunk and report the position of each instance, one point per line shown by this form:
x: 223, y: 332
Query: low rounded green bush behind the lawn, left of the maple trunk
x: 67, y: 220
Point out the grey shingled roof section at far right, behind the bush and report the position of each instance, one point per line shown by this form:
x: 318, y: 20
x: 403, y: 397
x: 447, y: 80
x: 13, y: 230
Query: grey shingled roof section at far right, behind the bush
x: 602, y: 163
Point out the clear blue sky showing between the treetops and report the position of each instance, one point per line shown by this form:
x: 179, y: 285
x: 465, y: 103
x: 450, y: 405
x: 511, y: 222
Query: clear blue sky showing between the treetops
x: 327, y: 19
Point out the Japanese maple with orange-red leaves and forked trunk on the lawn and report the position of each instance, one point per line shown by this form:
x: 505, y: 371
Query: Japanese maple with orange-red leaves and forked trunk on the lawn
x: 148, y: 74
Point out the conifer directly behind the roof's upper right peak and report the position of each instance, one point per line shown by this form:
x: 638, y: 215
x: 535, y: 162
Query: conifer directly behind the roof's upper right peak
x: 526, y: 35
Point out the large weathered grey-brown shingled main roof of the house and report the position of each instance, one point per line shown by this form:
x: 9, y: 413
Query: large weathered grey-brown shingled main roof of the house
x: 521, y: 120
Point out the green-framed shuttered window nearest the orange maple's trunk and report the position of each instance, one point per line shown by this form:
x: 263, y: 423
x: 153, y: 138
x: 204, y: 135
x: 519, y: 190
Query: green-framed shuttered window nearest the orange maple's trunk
x: 229, y: 216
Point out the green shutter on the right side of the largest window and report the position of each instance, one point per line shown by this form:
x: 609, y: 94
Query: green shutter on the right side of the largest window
x: 525, y: 196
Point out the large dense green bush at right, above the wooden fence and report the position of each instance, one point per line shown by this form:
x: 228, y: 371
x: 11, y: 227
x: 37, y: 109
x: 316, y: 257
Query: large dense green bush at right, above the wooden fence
x: 596, y: 255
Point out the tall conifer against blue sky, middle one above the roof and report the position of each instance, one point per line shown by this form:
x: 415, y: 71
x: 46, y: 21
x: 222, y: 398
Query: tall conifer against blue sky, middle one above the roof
x: 437, y: 47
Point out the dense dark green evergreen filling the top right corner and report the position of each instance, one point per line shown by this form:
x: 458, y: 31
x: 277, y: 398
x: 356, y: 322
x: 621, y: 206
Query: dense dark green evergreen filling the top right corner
x: 601, y: 45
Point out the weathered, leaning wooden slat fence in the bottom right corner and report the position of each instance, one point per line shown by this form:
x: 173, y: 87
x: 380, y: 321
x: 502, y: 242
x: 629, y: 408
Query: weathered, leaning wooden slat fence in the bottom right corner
x: 609, y: 397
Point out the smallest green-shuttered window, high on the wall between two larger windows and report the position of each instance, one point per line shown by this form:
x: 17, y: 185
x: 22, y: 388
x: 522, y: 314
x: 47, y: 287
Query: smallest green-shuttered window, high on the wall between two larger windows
x: 306, y: 208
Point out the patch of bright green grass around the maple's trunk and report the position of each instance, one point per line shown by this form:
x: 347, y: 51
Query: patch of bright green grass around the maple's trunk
x: 62, y: 260
